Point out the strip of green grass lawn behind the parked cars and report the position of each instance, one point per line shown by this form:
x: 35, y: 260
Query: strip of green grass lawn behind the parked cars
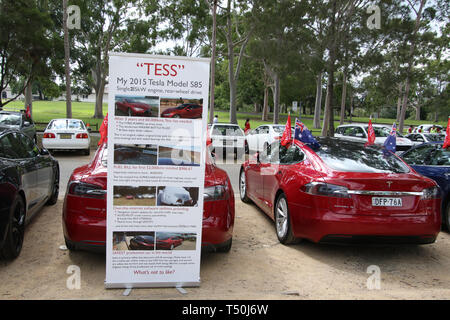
x: 44, y: 111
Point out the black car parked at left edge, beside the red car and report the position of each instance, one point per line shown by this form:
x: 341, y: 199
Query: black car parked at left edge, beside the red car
x: 29, y: 179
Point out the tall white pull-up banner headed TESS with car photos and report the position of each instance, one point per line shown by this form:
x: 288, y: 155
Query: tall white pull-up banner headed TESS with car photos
x: 157, y: 117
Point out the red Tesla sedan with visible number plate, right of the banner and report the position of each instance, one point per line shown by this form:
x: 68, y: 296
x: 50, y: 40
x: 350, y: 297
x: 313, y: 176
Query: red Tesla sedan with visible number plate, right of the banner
x: 342, y: 192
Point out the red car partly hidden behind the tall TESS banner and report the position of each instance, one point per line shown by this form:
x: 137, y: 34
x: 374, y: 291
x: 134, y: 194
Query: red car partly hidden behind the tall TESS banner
x: 84, y: 209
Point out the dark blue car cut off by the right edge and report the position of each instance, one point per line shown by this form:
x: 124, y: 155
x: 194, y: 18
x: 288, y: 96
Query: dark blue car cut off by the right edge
x: 432, y: 161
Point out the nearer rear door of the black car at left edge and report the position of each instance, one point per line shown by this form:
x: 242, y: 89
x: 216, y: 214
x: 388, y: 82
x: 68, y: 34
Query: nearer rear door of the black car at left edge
x: 14, y: 150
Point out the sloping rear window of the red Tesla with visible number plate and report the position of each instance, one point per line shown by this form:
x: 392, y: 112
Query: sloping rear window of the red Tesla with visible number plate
x: 354, y: 157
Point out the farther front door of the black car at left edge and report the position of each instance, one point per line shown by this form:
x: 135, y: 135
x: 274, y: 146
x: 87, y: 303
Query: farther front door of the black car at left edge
x: 43, y: 164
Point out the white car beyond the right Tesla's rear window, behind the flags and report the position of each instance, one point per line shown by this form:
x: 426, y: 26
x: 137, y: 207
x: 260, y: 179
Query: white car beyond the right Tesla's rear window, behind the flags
x: 358, y: 132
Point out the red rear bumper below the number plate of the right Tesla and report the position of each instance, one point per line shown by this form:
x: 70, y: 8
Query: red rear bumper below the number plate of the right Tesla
x: 325, y: 226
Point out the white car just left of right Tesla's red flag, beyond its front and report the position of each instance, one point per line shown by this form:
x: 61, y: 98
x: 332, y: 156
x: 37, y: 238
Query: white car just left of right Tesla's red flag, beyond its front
x: 262, y: 136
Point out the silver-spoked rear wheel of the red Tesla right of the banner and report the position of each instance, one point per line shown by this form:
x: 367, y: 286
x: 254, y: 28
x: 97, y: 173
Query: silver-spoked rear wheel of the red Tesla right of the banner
x: 283, y: 221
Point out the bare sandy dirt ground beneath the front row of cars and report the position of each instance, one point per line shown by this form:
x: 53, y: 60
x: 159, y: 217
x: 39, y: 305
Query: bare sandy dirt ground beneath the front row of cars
x: 258, y: 267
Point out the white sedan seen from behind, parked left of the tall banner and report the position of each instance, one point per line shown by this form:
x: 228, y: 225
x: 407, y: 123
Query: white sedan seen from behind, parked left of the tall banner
x: 67, y: 134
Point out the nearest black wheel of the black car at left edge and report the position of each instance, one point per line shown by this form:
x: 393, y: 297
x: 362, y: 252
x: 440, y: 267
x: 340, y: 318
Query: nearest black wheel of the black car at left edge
x: 16, y: 230
